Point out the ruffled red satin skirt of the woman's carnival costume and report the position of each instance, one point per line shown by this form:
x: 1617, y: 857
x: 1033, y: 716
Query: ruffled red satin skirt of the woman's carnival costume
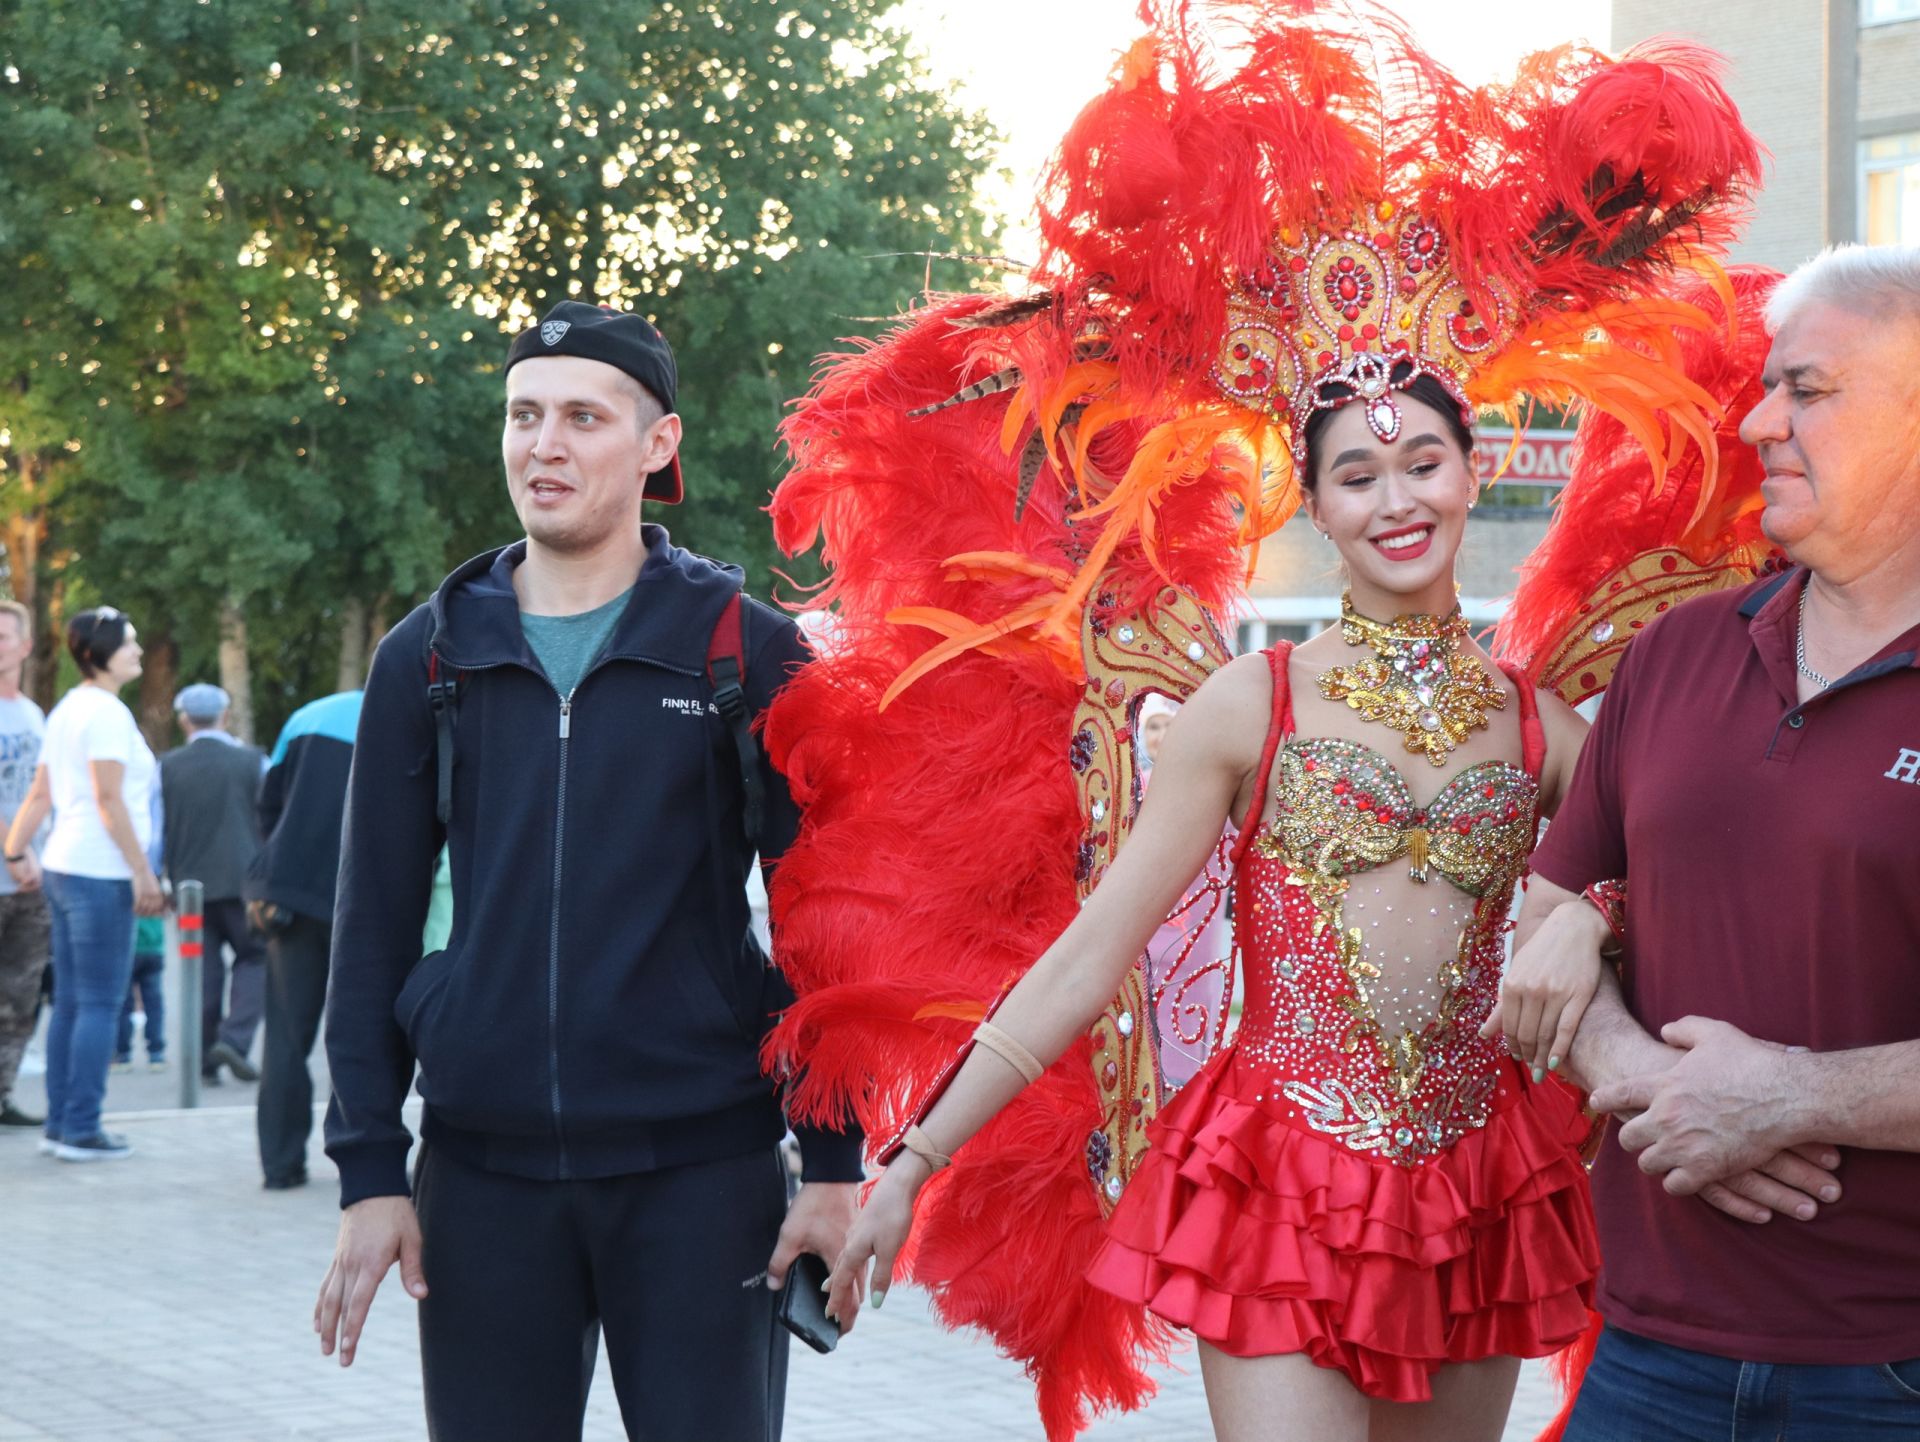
x: 1264, y: 1238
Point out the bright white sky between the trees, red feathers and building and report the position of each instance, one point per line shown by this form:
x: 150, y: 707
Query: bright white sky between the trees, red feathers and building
x: 1032, y: 64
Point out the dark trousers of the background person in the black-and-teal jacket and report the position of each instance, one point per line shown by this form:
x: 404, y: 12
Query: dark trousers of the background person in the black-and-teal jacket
x: 297, y: 996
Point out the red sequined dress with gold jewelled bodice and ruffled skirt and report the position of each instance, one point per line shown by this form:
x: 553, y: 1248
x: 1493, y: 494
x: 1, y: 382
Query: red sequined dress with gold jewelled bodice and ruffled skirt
x: 1358, y: 1176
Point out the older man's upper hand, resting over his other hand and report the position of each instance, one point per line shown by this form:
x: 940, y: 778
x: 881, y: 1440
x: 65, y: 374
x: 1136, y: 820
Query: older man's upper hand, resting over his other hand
x: 1723, y: 1109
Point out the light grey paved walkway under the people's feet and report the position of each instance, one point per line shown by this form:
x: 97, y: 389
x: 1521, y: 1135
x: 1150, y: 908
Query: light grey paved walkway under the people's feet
x: 168, y: 1299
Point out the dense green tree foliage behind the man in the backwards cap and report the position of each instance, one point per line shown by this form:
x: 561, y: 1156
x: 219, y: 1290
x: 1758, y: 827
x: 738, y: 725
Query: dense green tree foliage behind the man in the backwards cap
x: 268, y: 256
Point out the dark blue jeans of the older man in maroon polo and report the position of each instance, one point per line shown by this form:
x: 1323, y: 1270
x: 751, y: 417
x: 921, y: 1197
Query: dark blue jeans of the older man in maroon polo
x: 1639, y: 1391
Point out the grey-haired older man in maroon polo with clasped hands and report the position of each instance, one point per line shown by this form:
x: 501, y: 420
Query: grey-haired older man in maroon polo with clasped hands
x: 1756, y: 775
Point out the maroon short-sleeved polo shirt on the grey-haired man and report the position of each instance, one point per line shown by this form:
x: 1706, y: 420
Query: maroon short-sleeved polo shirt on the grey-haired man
x: 1773, y: 865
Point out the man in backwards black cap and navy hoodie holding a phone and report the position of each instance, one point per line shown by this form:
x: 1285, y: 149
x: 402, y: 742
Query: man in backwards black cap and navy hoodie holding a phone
x: 600, y: 1147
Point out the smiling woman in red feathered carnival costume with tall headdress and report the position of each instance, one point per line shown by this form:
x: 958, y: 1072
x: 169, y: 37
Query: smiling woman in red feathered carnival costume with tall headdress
x: 1284, y: 272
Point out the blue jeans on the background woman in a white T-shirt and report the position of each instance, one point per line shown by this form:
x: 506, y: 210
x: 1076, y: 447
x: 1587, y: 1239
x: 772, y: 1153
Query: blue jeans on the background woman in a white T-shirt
x: 93, y: 963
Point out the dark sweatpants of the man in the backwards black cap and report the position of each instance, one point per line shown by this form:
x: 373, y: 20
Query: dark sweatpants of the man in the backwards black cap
x: 523, y: 1278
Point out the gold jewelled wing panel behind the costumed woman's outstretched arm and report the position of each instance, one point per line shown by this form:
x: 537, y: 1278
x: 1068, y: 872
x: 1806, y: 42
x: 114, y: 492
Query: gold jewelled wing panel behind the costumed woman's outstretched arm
x: 1166, y: 648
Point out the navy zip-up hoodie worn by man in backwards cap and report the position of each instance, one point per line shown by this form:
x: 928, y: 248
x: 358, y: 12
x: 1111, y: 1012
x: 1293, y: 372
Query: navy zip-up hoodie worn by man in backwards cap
x: 600, y: 1005
